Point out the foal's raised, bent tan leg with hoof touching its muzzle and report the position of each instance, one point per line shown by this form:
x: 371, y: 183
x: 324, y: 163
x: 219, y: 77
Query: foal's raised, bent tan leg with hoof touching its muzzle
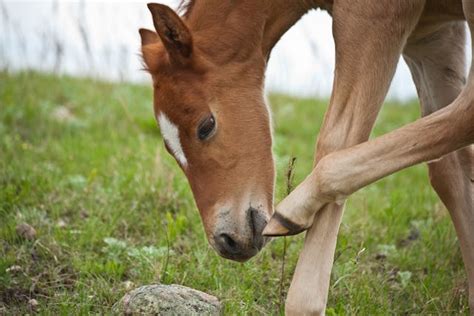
x: 341, y: 173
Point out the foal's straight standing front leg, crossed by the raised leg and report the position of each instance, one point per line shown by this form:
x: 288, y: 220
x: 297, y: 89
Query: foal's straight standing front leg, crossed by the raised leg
x: 353, y: 108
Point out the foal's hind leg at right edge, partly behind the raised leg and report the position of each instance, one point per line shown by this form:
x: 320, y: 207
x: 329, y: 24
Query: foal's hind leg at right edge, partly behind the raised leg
x: 438, y: 67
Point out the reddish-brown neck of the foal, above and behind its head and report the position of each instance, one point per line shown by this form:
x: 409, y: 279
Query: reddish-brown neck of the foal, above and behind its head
x: 233, y: 31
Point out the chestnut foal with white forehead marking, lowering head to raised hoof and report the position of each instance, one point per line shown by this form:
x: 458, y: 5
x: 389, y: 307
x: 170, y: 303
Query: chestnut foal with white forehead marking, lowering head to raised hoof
x: 208, y: 70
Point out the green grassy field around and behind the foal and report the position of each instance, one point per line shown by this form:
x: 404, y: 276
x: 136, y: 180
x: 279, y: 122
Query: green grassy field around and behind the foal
x: 84, y: 164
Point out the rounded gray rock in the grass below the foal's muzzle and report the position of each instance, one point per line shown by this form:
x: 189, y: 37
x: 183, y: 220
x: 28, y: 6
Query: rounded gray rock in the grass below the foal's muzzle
x: 171, y: 299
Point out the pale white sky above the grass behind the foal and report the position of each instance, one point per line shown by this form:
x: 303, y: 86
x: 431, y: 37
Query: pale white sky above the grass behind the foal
x: 99, y: 38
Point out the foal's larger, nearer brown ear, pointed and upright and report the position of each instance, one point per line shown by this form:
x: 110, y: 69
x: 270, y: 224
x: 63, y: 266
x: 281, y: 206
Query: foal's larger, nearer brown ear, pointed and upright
x: 172, y: 31
